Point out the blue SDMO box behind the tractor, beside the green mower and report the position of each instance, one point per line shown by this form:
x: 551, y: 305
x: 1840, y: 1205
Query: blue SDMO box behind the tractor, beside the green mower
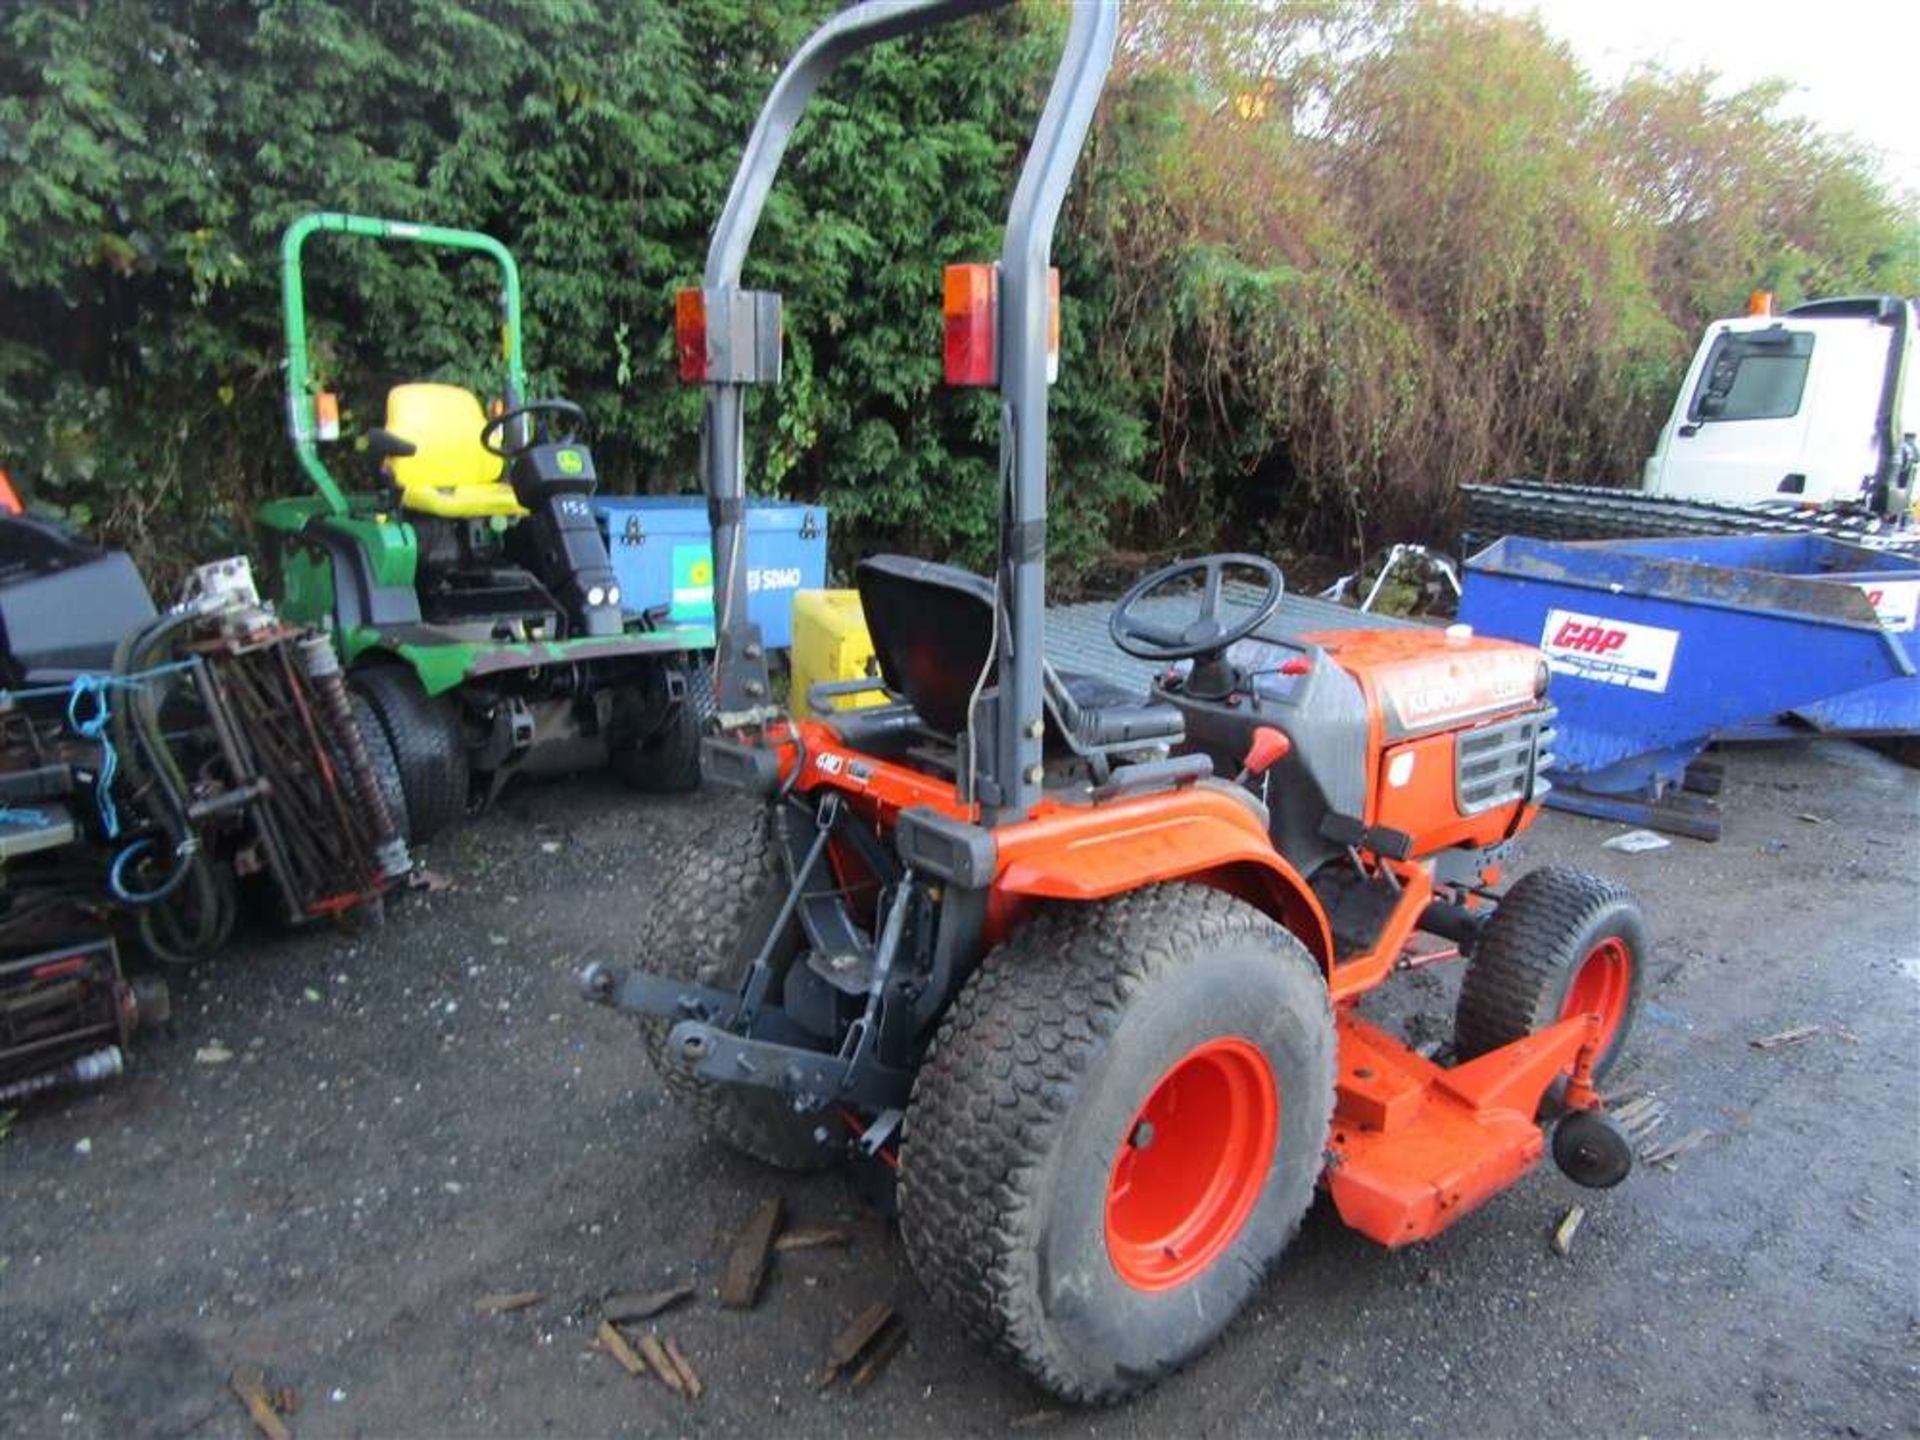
x: 663, y: 556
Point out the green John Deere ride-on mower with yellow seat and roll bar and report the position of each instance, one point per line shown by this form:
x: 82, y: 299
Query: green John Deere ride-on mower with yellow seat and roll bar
x: 466, y: 579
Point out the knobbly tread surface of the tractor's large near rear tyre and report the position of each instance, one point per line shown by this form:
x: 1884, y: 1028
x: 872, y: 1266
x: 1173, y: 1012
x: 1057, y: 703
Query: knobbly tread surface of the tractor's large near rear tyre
x: 1015, y: 1057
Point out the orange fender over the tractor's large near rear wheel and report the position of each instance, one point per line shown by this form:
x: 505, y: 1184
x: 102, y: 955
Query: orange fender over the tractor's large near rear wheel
x: 1203, y: 834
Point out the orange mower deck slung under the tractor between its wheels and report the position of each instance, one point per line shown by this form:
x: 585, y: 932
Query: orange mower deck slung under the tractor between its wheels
x: 1416, y: 1147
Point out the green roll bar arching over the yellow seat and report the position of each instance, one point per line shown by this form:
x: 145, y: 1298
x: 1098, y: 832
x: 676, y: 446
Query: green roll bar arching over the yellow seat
x: 300, y: 420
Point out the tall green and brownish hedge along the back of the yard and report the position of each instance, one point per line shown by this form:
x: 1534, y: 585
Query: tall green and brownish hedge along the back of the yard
x: 1324, y: 262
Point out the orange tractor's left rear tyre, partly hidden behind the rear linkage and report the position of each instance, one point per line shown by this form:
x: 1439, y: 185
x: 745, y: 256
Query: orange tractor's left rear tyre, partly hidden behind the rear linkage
x: 709, y: 924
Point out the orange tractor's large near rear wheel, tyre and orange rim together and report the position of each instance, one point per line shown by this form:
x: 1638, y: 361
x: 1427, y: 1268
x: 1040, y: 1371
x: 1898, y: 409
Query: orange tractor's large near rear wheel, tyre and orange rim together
x: 1116, y: 1134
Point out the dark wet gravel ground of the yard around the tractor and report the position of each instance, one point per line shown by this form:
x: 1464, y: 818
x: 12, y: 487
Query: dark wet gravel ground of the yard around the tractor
x: 425, y: 1113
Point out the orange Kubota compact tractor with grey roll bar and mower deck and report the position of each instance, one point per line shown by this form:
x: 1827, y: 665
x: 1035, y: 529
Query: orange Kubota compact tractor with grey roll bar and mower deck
x: 1078, y: 969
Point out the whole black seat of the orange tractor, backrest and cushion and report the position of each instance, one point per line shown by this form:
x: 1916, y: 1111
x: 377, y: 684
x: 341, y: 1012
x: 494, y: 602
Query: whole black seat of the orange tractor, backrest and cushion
x: 932, y: 629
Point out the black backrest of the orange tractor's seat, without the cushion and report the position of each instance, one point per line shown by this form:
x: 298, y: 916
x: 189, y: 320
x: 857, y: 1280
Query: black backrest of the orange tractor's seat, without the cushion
x: 932, y: 629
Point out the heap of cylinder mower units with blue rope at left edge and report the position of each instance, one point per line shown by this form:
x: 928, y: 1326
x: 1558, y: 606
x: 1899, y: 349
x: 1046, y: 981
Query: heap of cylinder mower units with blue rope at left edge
x: 153, y: 769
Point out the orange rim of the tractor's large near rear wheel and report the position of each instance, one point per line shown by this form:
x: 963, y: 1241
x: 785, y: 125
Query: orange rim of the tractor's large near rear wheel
x: 1191, y: 1166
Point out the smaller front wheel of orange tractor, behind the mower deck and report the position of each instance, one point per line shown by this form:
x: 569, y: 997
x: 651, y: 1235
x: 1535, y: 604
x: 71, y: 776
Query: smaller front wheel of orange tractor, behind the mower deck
x: 1560, y: 944
